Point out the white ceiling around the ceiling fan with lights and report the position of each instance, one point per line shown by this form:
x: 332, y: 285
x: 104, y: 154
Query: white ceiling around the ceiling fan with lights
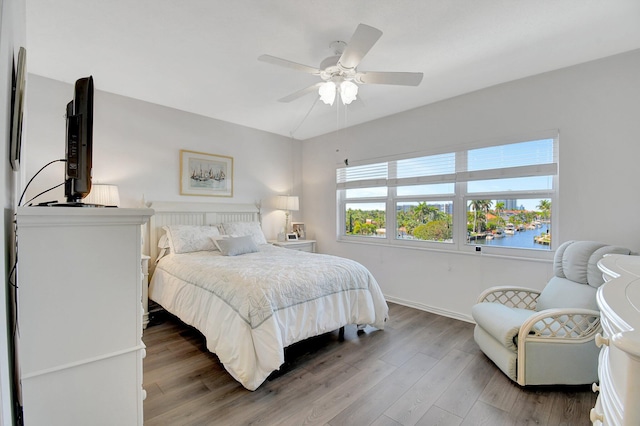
x: 201, y: 55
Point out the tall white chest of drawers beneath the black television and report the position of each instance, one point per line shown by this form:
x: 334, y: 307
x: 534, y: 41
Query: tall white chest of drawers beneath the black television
x: 80, y: 315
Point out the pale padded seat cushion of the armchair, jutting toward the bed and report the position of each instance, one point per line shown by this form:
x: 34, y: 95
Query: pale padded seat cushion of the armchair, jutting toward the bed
x: 501, y: 322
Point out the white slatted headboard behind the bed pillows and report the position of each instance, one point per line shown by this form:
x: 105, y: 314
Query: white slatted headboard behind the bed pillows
x: 187, y: 213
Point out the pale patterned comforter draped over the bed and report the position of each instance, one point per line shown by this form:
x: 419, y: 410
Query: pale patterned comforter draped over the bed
x: 251, y: 307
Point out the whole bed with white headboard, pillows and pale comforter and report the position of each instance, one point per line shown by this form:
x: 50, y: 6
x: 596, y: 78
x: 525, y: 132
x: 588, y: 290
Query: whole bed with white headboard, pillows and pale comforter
x: 249, y: 298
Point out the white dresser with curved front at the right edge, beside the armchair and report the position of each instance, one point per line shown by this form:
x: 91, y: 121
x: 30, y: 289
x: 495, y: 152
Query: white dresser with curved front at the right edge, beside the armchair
x: 618, y: 401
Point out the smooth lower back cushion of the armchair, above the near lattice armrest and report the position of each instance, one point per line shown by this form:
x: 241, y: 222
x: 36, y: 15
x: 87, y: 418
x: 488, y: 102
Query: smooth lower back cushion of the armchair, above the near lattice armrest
x: 562, y: 293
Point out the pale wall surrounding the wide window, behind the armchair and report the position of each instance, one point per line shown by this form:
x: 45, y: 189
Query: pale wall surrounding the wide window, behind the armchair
x: 595, y: 107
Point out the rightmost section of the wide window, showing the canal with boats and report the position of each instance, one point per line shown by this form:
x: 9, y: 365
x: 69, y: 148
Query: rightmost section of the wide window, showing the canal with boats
x: 516, y: 184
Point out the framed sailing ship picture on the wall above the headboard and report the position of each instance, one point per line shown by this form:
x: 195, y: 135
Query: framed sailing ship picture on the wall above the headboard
x: 203, y: 174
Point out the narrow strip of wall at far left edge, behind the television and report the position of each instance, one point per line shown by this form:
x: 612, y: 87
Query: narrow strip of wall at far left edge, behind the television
x: 12, y: 36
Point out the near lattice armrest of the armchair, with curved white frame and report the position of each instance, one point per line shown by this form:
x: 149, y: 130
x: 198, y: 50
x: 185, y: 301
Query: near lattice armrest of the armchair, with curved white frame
x: 560, y: 326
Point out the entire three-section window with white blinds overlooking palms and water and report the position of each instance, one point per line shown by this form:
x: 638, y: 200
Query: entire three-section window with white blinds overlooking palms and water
x: 496, y: 195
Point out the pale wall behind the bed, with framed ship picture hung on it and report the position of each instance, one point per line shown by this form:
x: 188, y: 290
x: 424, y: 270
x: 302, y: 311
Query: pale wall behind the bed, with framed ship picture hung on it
x: 137, y: 146
